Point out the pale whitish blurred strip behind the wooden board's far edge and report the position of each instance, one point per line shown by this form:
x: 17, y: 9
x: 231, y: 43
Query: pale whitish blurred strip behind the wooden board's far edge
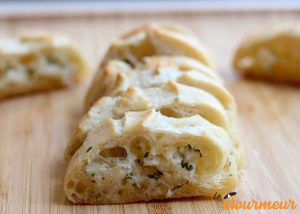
x: 48, y: 8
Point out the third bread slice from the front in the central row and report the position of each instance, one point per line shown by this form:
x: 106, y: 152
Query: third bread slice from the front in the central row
x: 118, y: 75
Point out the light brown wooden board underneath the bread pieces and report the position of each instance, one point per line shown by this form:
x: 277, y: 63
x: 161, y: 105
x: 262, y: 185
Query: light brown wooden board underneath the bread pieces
x: 35, y: 129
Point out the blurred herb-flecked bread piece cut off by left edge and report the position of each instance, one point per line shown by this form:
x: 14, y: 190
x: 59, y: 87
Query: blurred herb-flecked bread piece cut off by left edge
x: 37, y: 62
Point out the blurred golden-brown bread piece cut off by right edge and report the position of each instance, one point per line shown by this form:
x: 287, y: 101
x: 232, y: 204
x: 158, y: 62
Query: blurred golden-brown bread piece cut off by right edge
x: 271, y: 55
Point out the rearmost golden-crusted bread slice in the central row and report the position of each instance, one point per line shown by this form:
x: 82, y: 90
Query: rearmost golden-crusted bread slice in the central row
x: 158, y: 39
